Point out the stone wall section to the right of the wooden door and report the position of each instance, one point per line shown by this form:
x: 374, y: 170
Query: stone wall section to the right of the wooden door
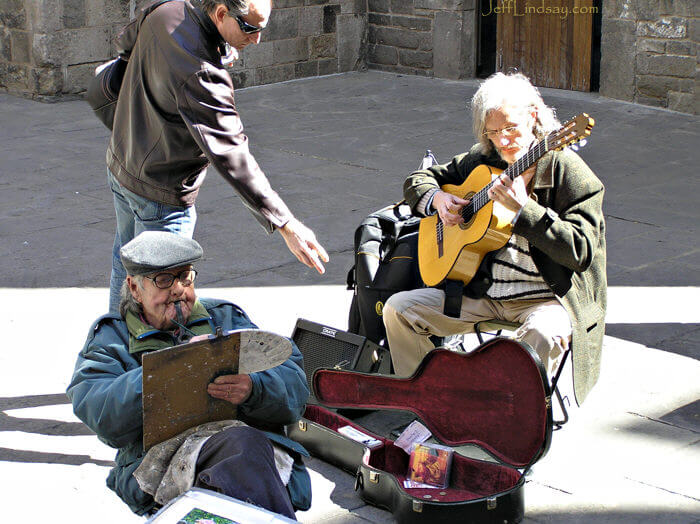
x: 649, y: 52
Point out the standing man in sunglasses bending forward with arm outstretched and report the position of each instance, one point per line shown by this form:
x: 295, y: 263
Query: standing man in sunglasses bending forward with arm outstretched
x: 176, y: 115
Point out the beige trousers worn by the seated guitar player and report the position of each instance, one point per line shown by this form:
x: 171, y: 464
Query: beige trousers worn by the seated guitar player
x: 410, y: 317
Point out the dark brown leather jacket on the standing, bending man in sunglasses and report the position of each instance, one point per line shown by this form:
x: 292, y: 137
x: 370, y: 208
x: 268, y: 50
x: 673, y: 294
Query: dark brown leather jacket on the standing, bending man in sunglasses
x: 176, y: 115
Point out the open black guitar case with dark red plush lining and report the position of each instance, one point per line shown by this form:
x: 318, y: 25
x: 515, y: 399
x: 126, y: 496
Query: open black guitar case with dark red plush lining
x: 496, y: 397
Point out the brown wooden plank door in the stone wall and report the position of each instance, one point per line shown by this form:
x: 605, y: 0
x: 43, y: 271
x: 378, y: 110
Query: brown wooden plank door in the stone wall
x: 549, y: 41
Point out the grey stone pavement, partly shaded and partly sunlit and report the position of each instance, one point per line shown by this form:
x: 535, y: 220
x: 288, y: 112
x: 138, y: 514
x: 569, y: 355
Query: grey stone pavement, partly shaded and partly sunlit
x: 337, y: 148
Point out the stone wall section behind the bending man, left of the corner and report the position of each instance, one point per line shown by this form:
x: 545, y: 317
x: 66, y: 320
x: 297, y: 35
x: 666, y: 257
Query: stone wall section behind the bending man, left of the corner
x: 50, y: 48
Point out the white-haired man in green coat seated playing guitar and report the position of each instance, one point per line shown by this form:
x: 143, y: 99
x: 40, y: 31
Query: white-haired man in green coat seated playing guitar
x: 550, y: 277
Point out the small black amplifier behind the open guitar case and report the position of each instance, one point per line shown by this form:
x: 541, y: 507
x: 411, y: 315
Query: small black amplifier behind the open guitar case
x: 328, y: 347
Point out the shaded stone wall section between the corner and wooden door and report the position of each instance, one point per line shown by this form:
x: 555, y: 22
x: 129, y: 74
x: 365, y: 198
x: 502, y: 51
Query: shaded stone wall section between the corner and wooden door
x: 422, y: 37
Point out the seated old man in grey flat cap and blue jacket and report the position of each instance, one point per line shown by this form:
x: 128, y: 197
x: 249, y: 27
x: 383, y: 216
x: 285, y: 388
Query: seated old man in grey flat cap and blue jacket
x: 250, y: 460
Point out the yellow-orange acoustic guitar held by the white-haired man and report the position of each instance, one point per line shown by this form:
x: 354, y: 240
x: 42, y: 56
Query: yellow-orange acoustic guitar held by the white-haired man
x: 456, y: 252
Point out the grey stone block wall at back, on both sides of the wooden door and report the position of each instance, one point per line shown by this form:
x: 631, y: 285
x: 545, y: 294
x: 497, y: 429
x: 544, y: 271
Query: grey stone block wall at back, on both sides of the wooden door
x: 49, y: 48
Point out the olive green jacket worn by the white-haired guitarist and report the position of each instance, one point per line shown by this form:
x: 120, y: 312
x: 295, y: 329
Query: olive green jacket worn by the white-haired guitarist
x: 564, y: 225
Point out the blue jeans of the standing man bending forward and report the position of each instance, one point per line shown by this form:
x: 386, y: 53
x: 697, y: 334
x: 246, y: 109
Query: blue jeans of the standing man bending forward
x: 134, y: 215
